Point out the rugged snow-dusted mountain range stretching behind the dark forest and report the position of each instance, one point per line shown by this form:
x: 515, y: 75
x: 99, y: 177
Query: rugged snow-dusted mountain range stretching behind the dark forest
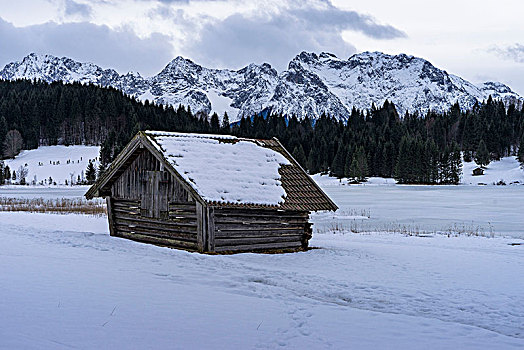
x: 313, y: 84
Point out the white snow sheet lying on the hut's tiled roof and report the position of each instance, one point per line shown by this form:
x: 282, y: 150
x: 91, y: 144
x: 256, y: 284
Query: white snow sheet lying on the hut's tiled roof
x: 223, y: 168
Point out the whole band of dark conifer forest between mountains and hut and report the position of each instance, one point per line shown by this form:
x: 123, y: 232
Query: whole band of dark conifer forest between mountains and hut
x: 423, y: 149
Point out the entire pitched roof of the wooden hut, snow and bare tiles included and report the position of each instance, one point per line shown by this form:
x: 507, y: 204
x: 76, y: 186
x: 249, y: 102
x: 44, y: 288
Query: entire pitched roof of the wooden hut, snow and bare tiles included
x: 224, y: 170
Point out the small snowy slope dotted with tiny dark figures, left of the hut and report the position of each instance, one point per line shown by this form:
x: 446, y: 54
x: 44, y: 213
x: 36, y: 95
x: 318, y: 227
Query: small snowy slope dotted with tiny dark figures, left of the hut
x: 40, y: 162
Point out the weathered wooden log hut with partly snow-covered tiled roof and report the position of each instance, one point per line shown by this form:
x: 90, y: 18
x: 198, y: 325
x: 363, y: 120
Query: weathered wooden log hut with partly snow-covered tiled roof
x: 209, y: 193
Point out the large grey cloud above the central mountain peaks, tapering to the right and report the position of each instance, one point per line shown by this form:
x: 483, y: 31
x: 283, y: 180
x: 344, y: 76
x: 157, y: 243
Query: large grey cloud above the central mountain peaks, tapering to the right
x: 277, y: 37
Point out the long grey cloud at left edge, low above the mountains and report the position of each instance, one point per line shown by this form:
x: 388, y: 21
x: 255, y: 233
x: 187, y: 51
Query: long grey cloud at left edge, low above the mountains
x: 122, y: 50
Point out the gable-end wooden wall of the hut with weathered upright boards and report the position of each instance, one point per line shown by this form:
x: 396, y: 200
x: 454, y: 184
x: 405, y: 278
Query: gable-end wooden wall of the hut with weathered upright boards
x: 150, y: 205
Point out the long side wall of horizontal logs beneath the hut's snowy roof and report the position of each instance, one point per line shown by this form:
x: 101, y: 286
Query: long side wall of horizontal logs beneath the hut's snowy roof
x: 258, y: 229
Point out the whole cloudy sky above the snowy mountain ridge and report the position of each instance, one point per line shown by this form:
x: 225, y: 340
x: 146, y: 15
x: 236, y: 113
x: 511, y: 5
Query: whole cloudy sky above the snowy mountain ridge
x: 477, y: 40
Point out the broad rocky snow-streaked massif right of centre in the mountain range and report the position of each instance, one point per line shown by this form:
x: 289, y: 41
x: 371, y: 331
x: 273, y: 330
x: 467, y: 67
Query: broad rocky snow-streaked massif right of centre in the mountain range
x: 411, y: 83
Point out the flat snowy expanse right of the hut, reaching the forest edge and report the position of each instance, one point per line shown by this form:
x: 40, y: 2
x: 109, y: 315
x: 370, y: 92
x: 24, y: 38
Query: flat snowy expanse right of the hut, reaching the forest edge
x: 415, y: 209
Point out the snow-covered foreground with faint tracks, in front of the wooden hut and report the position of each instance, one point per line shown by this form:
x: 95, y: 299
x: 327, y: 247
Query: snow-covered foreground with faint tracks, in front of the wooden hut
x: 67, y: 284
